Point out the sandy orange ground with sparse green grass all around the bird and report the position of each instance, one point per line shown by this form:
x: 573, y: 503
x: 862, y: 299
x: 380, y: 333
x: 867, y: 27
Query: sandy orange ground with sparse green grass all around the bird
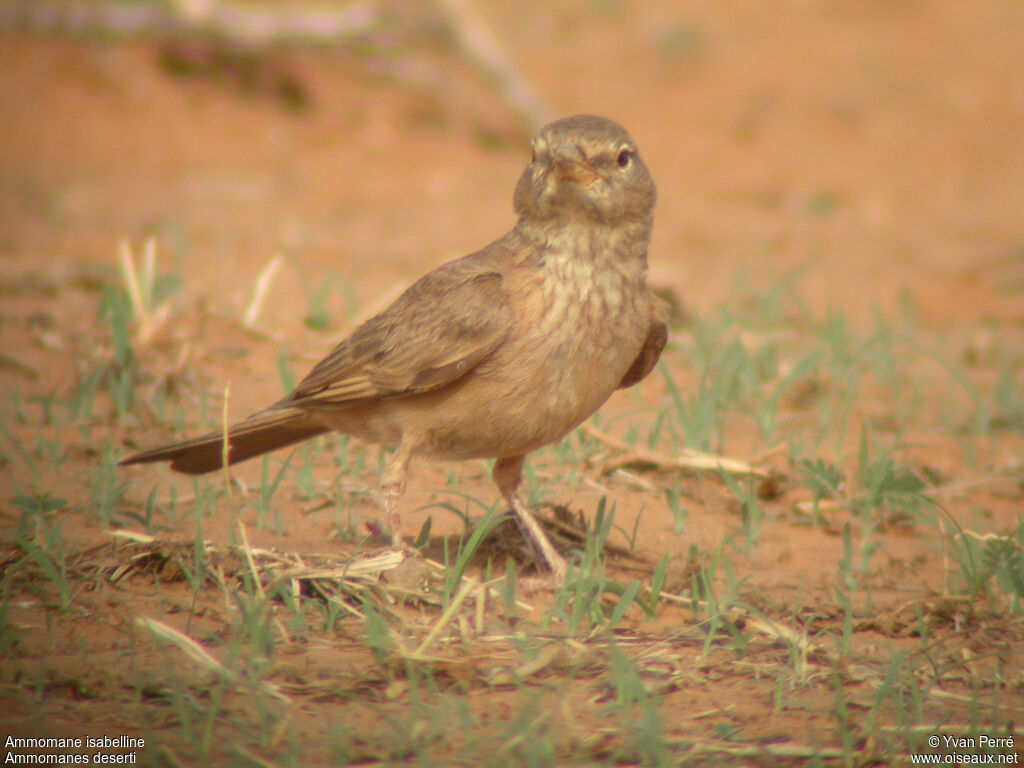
x: 841, y: 223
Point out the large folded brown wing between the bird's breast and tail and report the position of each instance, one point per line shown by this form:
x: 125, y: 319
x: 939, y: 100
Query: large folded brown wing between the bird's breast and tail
x: 440, y: 329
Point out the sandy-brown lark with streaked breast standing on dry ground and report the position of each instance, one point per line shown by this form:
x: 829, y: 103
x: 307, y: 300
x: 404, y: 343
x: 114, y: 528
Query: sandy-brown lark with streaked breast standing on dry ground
x: 500, y: 353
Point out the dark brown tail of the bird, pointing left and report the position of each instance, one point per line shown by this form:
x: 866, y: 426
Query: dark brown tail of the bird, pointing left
x: 260, y: 434
